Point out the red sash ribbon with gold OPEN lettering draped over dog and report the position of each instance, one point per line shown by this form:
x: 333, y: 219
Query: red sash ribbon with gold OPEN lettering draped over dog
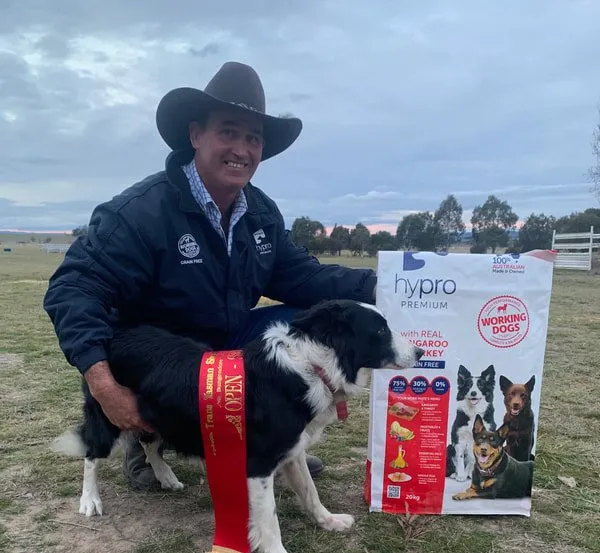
x: 221, y: 395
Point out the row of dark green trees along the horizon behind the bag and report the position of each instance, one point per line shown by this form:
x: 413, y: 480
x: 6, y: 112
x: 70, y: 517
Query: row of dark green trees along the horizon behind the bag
x: 494, y: 226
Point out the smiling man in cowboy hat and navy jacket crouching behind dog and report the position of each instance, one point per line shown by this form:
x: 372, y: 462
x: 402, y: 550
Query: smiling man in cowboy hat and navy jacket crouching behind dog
x: 191, y: 248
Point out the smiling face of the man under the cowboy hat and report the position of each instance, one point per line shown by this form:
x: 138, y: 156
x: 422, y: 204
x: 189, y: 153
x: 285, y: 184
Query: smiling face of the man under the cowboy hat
x: 228, y: 148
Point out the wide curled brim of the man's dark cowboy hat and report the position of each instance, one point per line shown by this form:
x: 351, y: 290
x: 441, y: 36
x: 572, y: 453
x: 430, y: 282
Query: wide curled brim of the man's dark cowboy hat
x: 180, y: 106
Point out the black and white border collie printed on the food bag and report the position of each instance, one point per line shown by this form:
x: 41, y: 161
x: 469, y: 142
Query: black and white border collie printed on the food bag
x: 475, y: 396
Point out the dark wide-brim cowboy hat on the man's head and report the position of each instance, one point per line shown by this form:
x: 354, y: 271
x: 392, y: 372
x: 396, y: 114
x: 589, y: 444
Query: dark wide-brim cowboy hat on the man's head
x: 234, y: 85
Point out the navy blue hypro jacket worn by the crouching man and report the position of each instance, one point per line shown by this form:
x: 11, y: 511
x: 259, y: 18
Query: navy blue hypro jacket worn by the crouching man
x: 151, y: 256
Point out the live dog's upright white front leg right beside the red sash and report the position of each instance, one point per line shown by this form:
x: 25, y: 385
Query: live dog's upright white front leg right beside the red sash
x: 264, y: 532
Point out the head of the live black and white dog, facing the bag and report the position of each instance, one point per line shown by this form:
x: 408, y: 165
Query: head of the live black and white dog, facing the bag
x: 358, y: 335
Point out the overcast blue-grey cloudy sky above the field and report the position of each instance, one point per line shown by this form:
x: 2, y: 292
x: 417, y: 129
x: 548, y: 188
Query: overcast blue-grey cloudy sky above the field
x: 402, y: 102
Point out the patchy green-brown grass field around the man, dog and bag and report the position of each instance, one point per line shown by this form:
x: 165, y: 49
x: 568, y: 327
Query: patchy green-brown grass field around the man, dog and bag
x: 39, y: 492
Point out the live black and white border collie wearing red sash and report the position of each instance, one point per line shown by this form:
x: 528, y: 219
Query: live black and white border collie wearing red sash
x: 289, y: 402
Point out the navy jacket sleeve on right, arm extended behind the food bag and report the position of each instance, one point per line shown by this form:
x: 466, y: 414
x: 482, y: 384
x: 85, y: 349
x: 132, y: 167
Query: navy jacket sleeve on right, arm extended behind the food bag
x: 299, y: 279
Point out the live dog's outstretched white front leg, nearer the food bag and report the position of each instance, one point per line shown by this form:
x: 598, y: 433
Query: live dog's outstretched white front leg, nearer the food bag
x: 298, y: 476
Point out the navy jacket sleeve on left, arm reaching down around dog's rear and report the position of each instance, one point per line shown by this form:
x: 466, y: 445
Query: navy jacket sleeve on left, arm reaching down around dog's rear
x: 109, y: 265
